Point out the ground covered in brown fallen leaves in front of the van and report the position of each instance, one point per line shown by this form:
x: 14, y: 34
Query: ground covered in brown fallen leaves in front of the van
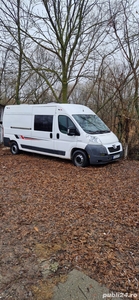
x: 55, y: 217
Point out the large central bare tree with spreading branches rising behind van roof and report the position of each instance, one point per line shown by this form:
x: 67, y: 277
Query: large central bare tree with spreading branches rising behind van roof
x: 68, y: 32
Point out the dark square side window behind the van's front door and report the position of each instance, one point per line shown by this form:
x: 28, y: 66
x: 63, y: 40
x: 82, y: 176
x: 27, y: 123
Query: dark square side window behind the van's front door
x: 43, y: 123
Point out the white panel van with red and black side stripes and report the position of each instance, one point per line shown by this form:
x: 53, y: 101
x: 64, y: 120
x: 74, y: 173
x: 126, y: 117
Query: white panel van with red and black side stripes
x: 69, y: 131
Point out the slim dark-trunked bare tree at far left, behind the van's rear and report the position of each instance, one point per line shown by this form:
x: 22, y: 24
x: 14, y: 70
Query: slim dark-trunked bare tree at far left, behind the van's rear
x: 12, y: 18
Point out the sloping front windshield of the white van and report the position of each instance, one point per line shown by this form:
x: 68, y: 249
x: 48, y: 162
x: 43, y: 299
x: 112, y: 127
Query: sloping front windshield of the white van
x: 91, y: 123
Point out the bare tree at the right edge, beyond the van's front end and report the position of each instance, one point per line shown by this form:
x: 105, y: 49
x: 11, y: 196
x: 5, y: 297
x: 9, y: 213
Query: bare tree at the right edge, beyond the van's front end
x: 126, y: 37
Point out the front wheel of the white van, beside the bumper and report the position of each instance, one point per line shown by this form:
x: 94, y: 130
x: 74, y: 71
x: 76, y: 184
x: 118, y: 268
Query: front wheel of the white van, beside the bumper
x: 80, y: 159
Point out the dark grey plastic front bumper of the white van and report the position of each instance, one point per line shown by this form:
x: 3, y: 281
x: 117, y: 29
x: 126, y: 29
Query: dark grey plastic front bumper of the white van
x: 98, y: 154
